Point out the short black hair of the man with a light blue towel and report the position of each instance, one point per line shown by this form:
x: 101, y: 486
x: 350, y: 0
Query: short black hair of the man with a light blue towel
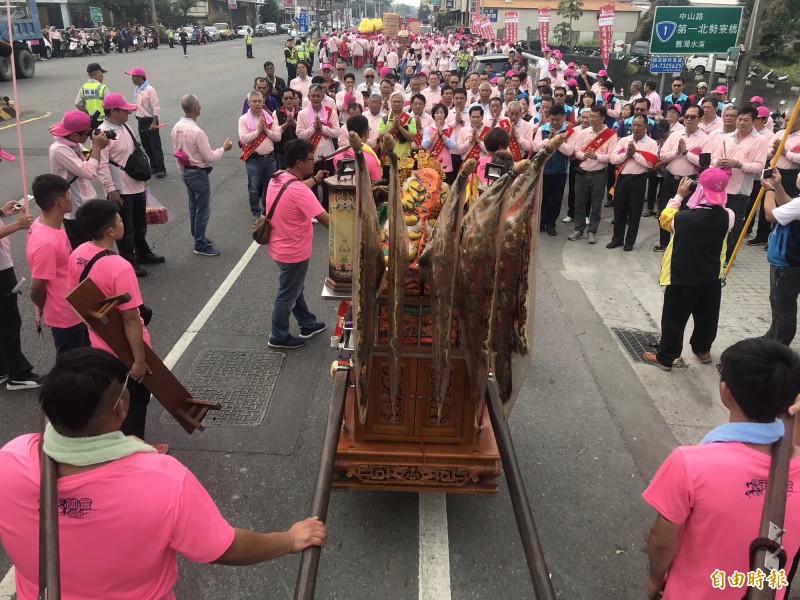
x: 763, y: 376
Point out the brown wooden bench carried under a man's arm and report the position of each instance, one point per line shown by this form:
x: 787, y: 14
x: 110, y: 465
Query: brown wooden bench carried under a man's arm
x: 100, y: 314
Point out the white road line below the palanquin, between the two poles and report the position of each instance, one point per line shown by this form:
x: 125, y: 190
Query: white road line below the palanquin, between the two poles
x: 434, y: 548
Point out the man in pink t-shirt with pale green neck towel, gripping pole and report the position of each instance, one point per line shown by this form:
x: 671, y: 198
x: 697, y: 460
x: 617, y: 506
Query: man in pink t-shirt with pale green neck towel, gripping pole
x: 124, y: 511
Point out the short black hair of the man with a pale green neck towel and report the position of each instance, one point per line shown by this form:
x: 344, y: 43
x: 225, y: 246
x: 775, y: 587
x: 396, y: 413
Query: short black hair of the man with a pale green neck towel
x: 73, y: 389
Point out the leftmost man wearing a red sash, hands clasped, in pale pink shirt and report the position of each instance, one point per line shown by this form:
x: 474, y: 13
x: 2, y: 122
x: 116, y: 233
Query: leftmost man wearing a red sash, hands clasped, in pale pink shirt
x: 258, y: 132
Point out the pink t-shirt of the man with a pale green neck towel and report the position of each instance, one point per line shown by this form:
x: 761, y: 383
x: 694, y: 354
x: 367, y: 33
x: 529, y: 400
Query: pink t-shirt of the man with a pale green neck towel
x: 120, y: 525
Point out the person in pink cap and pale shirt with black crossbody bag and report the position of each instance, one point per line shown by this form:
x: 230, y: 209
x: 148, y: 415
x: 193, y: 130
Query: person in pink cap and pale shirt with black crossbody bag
x: 124, y: 186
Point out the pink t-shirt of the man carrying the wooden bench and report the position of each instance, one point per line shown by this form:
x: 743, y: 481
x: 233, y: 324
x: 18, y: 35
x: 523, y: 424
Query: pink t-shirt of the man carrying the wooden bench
x: 113, y: 275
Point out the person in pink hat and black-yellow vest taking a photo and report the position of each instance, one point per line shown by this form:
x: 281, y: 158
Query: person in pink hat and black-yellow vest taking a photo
x: 691, y: 267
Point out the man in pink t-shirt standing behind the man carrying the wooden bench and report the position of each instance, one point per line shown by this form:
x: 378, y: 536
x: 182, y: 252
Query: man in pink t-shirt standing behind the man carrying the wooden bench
x: 48, y: 251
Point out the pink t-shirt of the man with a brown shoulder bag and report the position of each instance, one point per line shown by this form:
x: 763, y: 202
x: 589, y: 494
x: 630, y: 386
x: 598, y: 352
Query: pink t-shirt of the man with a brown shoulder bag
x: 292, y: 230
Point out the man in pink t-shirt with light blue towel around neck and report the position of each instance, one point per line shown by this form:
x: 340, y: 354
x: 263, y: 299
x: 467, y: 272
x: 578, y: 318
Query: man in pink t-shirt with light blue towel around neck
x: 709, y: 498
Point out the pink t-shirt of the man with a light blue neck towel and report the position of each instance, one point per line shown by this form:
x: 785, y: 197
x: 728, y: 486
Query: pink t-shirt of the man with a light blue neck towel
x: 716, y: 491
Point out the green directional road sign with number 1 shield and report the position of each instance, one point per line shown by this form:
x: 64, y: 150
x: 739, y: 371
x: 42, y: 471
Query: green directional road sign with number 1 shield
x: 695, y: 29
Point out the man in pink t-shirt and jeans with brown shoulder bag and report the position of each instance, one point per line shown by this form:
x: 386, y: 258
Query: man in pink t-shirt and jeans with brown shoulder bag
x: 290, y: 242
